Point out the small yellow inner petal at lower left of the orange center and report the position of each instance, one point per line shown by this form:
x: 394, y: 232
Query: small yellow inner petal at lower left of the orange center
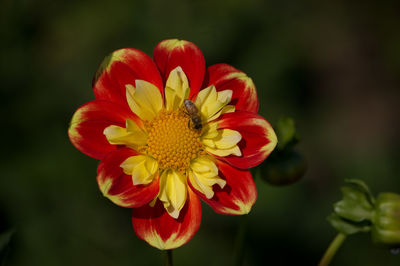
x: 141, y: 167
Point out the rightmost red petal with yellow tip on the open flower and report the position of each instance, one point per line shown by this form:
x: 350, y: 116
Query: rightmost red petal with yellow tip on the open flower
x: 258, y: 138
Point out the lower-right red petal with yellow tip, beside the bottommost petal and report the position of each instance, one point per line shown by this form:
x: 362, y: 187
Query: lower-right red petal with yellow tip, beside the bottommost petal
x: 237, y: 196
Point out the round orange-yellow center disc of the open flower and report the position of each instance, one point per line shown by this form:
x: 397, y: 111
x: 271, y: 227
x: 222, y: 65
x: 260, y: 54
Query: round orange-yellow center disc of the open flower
x: 172, y: 140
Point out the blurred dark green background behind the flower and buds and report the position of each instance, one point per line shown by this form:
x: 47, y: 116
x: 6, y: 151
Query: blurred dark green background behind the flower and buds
x: 334, y: 66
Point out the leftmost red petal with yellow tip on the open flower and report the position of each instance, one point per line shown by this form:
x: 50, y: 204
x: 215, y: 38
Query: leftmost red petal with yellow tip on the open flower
x: 90, y: 120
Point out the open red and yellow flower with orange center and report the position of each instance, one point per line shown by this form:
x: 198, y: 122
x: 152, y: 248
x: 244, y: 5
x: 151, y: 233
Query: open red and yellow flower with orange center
x: 154, y: 159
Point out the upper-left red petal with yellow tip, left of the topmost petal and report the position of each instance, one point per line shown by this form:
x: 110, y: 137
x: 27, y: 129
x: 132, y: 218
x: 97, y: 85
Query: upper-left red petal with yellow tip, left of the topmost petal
x: 123, y: 67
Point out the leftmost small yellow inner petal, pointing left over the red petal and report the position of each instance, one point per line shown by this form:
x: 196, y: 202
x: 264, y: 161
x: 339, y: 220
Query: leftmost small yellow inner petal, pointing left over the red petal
x: 132, y: 135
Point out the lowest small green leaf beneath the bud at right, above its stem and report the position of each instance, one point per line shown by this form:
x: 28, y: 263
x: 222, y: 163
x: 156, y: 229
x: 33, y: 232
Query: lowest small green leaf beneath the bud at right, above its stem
x: 348, y: 227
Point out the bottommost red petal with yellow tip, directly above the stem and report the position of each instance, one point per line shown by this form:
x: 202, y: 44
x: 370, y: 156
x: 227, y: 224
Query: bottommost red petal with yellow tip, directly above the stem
x: 155, y: 226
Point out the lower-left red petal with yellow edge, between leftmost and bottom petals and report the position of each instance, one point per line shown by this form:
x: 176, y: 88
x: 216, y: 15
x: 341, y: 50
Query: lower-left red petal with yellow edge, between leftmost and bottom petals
x: 118, y: 187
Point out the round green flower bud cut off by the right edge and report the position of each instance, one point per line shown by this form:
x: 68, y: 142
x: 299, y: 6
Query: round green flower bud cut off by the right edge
x: 386, y: 219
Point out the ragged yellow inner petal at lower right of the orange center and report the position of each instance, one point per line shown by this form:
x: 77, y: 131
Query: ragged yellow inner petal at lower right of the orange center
x: 203, y: 174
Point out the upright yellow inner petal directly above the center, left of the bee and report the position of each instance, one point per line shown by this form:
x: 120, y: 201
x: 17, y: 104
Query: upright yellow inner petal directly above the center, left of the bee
x: 176, y: 90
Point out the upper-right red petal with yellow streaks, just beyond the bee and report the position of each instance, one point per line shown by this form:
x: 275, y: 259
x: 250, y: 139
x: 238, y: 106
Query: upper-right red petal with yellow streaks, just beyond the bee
x: 226, y: 77
